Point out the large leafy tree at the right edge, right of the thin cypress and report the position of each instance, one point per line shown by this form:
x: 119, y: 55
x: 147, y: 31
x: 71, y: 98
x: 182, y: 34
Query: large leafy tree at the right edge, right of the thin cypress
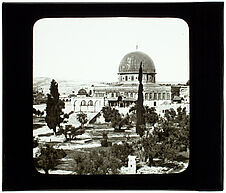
x: 169, y: 137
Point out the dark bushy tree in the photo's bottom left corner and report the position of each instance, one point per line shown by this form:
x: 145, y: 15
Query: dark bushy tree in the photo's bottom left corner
x: 49, y: 158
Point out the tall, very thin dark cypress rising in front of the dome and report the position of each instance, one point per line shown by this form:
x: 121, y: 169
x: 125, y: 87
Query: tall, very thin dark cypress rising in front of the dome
x: 140, y: 125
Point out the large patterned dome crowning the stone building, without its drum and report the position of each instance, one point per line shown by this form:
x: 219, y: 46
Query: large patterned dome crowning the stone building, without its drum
x: 131, y: 63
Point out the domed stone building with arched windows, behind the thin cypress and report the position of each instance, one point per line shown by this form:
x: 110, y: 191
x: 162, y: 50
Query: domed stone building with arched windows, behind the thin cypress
x: 124, y: 92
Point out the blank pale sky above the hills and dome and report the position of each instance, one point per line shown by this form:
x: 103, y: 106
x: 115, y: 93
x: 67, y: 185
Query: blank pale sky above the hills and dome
x: 91, y: 49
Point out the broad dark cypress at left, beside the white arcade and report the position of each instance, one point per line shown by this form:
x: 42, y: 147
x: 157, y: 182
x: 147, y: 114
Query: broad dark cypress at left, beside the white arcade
x: 54, y: 107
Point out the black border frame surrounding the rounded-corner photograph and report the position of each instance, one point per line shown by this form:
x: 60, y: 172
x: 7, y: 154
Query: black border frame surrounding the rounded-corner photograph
x: 205, y: 171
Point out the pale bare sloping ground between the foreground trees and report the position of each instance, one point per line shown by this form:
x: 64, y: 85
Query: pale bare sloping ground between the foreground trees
x: 91, y: 139
